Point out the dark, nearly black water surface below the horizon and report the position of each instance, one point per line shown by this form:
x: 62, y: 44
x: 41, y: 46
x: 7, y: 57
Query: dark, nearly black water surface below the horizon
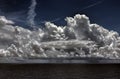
x: 59, y: 71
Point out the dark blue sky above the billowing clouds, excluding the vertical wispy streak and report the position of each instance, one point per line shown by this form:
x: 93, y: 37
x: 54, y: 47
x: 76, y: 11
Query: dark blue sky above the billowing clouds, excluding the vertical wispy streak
x: 102, y: 12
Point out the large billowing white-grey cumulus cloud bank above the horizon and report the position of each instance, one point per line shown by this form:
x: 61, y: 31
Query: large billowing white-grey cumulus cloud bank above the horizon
x: 78, y: 38
